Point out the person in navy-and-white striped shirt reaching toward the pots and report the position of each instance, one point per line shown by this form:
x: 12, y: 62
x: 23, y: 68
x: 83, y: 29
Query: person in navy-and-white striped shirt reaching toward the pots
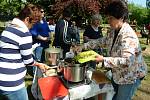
x: 16, y: 53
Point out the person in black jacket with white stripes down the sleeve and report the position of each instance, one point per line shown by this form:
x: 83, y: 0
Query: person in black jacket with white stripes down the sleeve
x: 62, y: 36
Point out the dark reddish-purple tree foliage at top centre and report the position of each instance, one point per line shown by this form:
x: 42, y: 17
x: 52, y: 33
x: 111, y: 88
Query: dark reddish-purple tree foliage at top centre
x: 82, y: 9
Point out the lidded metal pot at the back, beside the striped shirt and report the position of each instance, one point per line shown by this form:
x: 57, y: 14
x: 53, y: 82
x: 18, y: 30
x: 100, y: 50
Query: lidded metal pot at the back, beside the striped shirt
x: 52, y: 56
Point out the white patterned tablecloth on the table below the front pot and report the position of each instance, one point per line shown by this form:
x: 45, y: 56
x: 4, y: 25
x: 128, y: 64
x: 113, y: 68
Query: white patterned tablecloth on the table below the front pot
x: 86, y: 91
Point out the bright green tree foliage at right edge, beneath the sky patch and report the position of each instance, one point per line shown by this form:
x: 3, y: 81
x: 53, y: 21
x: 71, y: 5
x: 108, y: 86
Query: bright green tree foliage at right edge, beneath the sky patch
x: 138, y: 13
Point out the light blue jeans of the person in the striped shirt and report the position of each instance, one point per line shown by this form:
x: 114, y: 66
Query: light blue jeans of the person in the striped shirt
x: 14, y: 95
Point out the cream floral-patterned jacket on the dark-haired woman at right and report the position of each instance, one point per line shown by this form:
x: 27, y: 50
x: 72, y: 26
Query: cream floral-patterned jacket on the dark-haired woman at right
x: 125, y: 56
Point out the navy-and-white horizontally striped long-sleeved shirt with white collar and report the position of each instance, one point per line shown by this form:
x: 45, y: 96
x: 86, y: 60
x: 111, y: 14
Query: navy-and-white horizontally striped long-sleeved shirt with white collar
x: 15, y: 53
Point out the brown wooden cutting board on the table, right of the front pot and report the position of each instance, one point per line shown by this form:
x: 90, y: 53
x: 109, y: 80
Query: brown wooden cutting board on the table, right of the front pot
x: 99, y: 77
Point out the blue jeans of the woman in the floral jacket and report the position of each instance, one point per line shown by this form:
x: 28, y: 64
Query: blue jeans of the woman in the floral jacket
x: 125, y: 91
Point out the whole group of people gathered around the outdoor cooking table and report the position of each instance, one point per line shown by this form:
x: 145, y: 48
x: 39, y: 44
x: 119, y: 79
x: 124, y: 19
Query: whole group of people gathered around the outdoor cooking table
x: 23, y: 42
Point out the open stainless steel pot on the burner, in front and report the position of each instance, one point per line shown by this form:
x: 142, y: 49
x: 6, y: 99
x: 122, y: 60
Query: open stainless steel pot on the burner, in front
x: 75, y: 73
